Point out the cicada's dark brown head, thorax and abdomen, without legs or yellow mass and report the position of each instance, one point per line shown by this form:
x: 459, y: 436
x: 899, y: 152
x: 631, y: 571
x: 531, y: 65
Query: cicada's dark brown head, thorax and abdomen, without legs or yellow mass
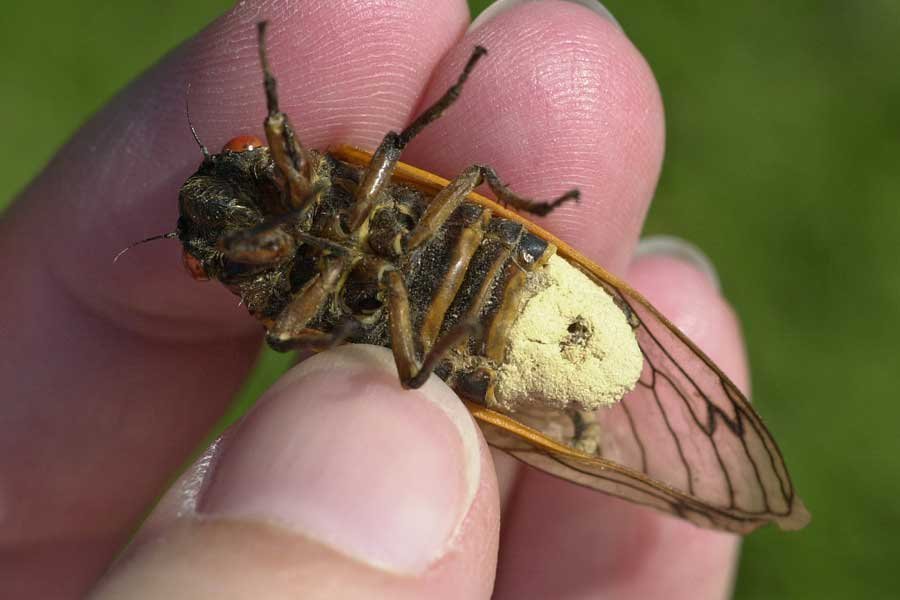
x: 468, y: 271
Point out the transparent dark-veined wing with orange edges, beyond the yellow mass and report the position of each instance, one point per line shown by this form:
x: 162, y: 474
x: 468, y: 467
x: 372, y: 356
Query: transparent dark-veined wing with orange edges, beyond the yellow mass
x: 685, y: 441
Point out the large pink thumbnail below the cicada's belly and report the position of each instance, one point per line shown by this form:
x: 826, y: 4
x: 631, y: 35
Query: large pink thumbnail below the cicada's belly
x: 340, y: 453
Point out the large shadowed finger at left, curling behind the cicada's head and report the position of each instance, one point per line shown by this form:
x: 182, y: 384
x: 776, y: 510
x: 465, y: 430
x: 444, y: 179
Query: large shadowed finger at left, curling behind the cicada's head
x: 118, y: 370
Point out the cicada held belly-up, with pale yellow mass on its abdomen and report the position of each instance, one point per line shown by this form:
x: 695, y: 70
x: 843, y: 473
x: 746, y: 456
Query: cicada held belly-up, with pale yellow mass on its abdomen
x: 563, y: 365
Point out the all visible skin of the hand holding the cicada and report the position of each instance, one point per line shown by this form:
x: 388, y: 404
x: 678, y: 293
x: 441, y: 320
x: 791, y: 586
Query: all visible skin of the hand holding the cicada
x: 114, y: 372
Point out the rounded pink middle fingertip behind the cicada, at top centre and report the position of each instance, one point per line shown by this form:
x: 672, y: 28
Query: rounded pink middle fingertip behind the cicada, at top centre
x: 563, y: 99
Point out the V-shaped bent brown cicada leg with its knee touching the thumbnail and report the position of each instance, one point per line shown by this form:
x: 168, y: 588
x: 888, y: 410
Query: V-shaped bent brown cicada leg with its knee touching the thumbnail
x: 413, y: 375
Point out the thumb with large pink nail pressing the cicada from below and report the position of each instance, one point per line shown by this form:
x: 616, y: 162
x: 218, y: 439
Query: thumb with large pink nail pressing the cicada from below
x: 339, y: 485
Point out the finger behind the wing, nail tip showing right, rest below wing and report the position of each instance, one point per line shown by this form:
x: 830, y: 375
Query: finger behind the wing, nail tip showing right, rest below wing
x: 573, y: 543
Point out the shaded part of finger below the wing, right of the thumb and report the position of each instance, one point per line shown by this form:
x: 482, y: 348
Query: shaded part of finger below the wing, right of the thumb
x: 564, y: 541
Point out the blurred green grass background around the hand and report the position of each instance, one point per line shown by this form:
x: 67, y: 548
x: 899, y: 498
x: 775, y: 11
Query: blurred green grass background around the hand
x: 782, y: 164
